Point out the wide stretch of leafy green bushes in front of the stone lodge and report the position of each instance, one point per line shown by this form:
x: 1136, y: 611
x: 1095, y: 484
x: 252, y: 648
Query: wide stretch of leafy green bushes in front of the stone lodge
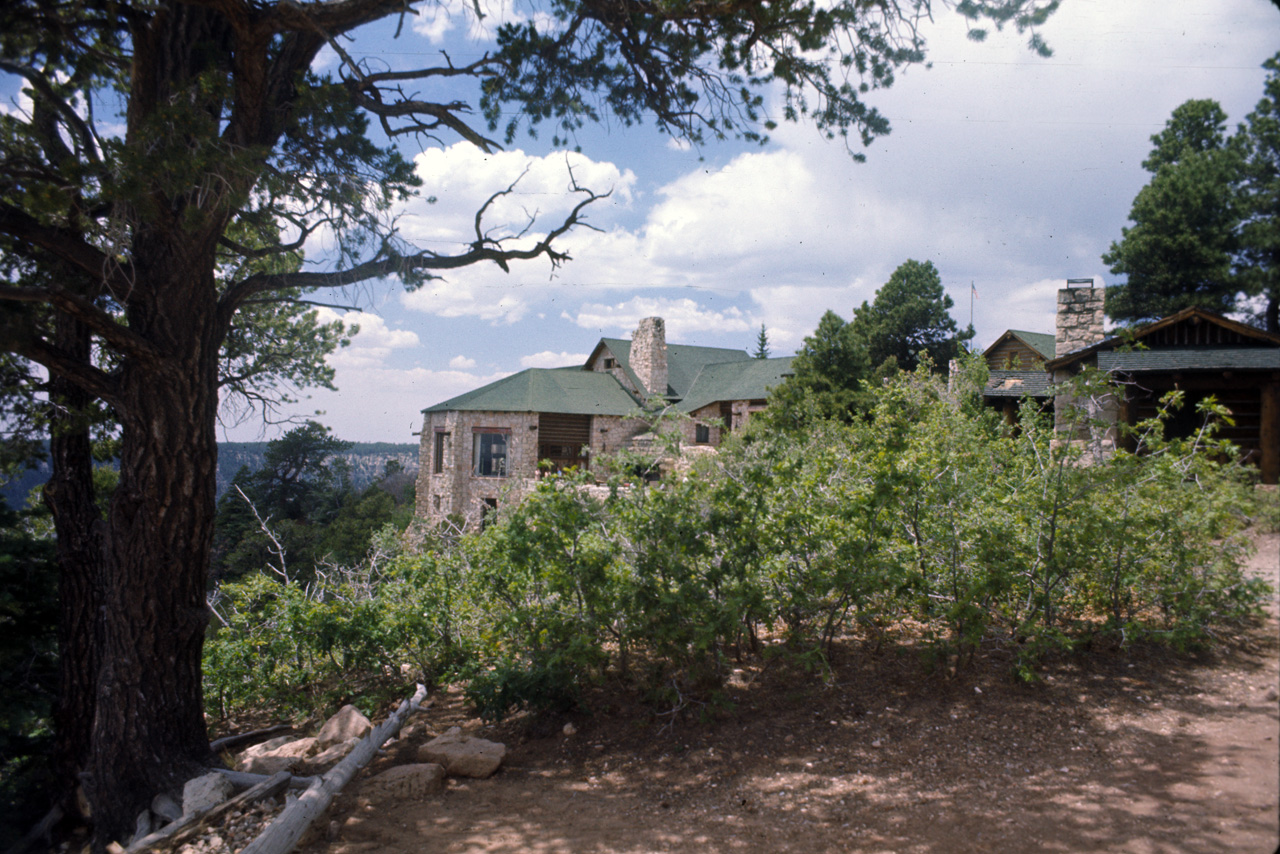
x: 927, y: 513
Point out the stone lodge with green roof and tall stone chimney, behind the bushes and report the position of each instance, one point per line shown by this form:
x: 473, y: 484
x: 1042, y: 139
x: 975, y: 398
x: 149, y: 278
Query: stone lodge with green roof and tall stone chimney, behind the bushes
x: 486, y: 446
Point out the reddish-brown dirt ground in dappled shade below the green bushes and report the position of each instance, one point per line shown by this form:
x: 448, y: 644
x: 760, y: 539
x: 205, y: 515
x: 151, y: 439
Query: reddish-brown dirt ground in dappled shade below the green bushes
x: 1132, y: 751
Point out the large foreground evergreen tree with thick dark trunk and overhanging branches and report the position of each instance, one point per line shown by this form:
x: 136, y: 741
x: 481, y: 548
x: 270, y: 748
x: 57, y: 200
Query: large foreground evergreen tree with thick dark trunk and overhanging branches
x: 234, y: 149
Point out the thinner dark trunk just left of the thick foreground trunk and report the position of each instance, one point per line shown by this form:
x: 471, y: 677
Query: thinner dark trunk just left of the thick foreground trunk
x: 70, y: 496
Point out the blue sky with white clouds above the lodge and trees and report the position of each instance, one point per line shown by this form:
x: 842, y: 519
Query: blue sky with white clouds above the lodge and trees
x: 1005, y: 170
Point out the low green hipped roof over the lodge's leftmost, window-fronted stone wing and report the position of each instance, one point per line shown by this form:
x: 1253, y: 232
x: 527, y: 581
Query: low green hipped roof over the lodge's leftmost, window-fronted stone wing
x: 568, y: 391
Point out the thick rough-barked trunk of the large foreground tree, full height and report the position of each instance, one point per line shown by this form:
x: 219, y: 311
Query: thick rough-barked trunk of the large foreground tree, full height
x: 149, y: 732
